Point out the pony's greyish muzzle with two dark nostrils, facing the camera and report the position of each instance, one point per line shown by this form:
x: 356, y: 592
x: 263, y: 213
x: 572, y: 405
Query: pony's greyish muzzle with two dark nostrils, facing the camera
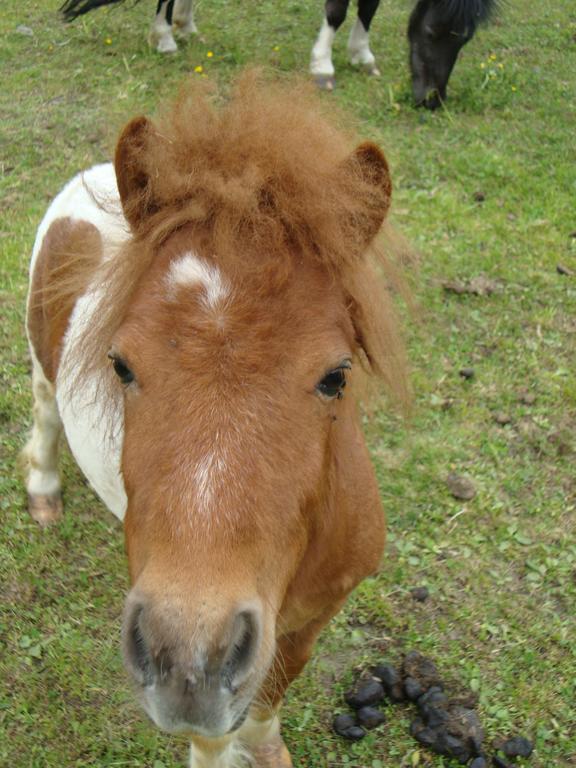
x: 193, y: 676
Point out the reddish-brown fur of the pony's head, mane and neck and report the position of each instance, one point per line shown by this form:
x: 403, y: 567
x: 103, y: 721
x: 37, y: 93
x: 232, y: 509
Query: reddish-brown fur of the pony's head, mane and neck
x: 267, y: 190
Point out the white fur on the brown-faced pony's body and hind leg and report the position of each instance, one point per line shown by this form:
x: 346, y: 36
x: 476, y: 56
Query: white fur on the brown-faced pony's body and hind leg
x: 92, y: 197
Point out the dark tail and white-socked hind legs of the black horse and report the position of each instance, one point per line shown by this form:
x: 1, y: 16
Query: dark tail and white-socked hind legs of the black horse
x: 172, y: 16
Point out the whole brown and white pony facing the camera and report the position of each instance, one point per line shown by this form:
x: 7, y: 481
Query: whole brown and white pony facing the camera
x: 198, y: 315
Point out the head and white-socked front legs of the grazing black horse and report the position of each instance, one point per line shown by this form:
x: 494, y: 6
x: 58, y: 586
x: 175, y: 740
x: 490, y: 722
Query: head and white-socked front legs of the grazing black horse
x: 437, y: 30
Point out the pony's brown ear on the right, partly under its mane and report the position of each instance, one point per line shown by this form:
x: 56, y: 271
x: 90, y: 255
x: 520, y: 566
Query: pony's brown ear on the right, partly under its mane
x: 368, y: 164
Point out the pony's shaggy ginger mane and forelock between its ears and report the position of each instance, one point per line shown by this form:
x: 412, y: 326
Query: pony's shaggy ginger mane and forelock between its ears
x: 259, y: 175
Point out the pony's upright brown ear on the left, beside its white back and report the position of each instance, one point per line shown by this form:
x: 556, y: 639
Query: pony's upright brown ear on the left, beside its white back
x: 132, y: 174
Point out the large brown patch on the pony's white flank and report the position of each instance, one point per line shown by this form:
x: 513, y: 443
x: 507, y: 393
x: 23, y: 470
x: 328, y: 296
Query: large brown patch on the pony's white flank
x: 66, y: 261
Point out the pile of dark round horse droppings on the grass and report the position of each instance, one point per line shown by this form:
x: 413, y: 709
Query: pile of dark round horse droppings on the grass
x: 449, y: 726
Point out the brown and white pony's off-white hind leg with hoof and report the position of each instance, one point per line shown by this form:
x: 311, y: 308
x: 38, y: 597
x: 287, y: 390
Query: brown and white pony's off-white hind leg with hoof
x: 41, y: 453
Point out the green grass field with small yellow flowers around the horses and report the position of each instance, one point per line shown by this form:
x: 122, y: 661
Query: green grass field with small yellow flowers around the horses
x: 485, y: 187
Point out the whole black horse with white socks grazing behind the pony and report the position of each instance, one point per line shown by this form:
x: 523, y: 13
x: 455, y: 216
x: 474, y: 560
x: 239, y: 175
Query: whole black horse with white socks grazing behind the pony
x: 437, y: 30
